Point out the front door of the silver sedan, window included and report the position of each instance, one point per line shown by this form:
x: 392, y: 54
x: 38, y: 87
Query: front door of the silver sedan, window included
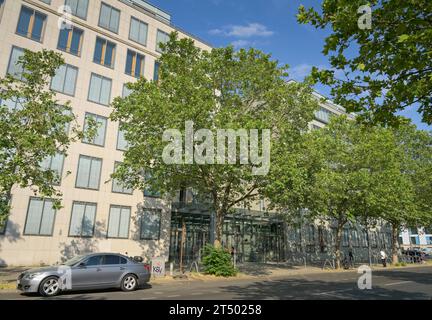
x: 88, y: 273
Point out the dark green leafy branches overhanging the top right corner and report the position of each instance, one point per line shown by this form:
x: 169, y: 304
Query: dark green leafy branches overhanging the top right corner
x: 387, y: 67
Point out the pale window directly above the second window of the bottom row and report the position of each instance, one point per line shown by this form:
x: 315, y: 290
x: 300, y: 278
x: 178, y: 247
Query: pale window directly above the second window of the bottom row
x: 89, y: 171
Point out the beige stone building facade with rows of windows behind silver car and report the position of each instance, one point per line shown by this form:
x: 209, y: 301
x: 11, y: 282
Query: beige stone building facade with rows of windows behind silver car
x: 111, y: 42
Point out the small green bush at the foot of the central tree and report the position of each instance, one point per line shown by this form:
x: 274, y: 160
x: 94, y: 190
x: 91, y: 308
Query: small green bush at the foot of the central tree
x: 217, y: 261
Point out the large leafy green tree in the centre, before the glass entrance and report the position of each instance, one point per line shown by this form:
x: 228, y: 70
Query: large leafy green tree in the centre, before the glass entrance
x: 217, y: 89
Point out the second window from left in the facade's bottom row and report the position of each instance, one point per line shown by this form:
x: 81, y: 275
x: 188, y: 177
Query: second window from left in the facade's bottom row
x: 82, y: 219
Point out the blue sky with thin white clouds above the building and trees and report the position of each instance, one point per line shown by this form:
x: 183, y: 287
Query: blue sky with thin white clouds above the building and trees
x: 269, y: 25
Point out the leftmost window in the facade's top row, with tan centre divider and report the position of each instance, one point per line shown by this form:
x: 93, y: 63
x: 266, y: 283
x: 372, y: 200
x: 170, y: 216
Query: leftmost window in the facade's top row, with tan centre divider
x: 31, y: 24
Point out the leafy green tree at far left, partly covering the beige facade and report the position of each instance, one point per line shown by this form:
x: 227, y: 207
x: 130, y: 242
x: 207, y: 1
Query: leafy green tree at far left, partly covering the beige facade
x: 33, y: 127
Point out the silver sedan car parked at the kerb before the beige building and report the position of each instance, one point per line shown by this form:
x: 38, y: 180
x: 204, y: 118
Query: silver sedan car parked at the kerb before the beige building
x: 92, y: 271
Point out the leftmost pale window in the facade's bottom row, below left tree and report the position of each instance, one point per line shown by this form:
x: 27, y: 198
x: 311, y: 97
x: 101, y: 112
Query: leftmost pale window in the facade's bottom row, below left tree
x: 40, y: 217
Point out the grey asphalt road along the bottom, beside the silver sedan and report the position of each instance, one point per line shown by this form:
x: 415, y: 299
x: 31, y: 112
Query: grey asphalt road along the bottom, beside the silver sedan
x: 408, y: 283
